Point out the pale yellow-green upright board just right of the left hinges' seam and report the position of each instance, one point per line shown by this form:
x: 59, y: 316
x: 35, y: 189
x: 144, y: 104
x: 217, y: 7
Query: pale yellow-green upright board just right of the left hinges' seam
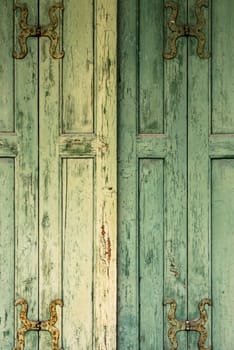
x: 50, y: 273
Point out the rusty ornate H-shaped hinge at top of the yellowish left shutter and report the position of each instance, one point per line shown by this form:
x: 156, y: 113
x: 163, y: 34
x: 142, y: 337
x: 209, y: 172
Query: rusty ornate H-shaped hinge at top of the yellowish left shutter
x: 37, y: 31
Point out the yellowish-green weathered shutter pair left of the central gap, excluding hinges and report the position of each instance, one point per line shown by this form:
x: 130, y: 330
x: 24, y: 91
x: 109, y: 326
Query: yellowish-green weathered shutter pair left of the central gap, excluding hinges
x: 58, y: 176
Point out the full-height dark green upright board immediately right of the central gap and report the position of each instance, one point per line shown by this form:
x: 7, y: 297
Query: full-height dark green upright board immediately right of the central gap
x: 127, y: 173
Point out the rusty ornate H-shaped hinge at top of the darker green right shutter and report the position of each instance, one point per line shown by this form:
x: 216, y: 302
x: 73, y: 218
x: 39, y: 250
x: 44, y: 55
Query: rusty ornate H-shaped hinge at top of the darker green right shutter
x: 178, y: 30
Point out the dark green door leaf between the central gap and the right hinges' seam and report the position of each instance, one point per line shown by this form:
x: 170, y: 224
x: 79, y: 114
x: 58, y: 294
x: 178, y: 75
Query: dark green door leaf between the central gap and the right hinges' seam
x: 152, y: 139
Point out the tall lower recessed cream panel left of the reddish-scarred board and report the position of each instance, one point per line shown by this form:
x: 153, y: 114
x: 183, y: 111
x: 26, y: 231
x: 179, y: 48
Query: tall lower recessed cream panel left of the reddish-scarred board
x: 78, y: 225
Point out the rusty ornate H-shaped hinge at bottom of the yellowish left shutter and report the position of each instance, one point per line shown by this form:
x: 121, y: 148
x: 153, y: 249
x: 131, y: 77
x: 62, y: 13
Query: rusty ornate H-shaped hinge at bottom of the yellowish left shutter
x: 29, y: 325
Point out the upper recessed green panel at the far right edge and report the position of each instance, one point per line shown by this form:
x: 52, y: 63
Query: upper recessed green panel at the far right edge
x: 222, y: 67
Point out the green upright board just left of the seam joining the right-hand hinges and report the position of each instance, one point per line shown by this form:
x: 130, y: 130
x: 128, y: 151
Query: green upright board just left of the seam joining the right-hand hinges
x: 175, y: 263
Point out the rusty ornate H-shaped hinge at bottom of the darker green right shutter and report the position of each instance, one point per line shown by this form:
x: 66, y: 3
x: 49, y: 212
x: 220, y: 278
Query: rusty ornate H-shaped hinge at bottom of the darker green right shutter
x: 197, y: 325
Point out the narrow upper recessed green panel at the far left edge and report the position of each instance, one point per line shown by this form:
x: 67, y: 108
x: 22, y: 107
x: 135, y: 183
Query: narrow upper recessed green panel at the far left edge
x: 7, y: 122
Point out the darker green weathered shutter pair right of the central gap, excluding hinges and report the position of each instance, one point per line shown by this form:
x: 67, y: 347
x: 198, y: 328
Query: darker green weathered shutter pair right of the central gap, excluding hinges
x: 176, y: 176
